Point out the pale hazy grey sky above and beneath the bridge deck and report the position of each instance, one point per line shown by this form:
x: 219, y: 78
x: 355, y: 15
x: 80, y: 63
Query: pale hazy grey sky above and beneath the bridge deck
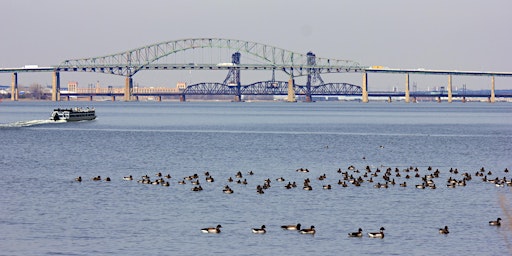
x: 434, y: 34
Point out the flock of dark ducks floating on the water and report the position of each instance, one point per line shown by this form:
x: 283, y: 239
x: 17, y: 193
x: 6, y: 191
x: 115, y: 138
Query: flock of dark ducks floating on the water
x: 351, y: 177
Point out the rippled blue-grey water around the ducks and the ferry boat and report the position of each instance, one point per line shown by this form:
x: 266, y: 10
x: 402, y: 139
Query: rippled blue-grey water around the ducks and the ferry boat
x: 45, y: 212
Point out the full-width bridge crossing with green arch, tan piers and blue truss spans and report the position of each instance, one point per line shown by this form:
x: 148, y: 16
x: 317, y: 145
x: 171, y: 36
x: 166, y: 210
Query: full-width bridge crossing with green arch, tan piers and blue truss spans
x: 170, y: 56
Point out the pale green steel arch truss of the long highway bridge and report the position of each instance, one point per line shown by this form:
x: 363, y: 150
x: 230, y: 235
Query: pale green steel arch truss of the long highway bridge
x: 147, y: 57
